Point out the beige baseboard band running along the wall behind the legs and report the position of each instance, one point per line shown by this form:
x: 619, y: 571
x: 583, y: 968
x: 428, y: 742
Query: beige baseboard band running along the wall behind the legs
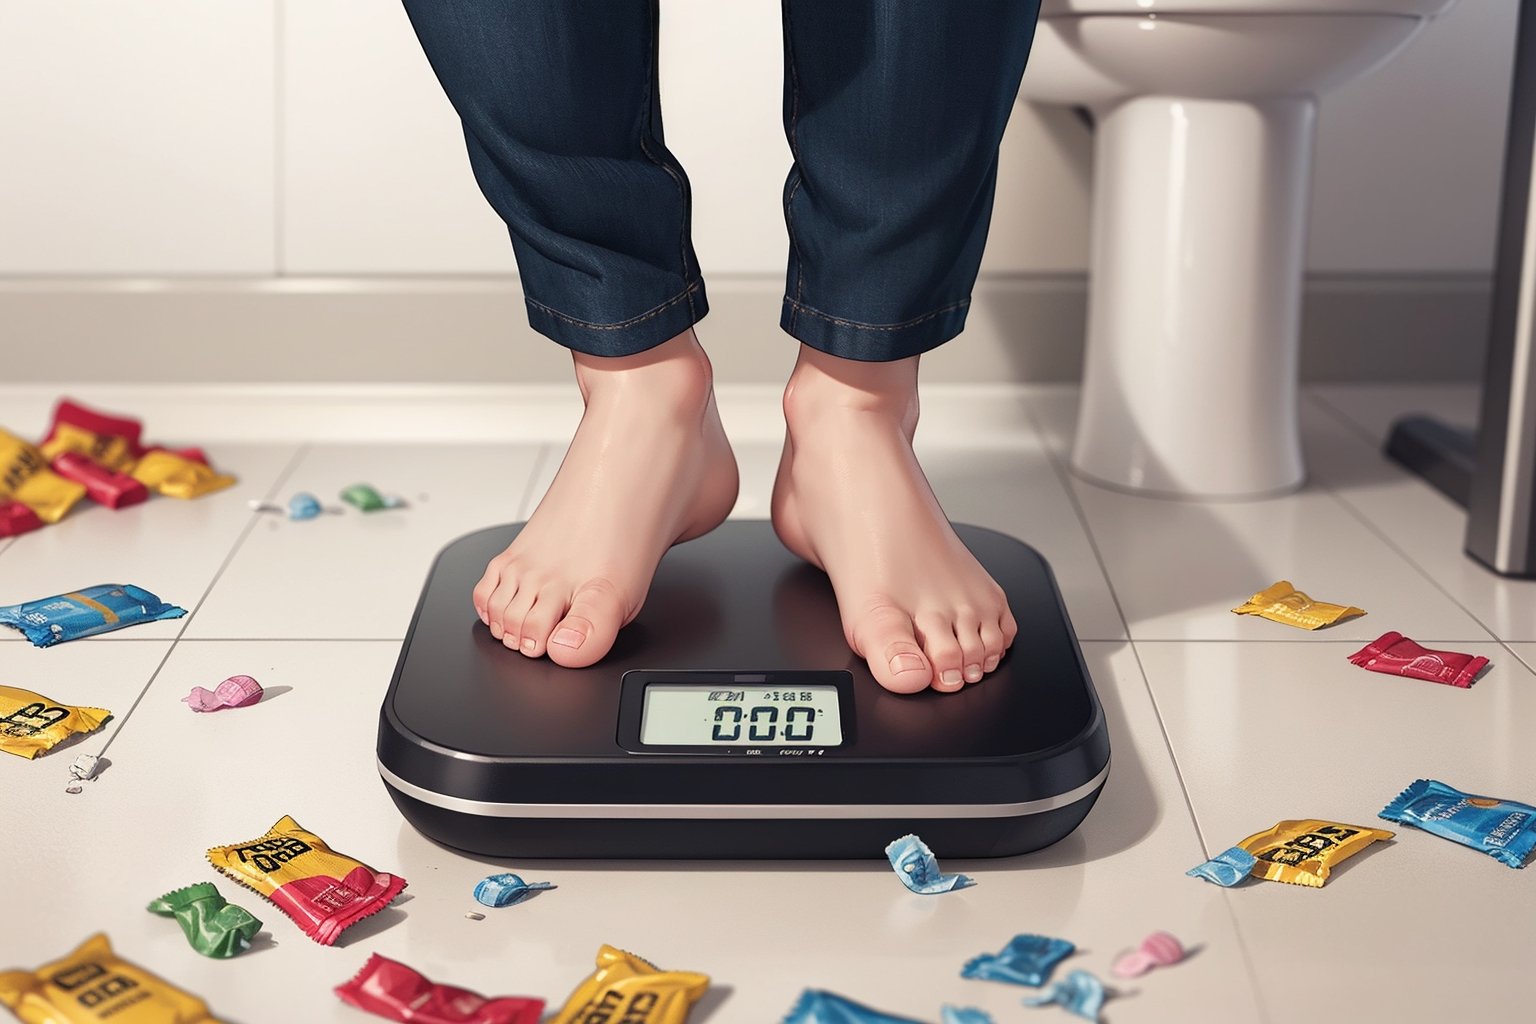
x: 455, y: 331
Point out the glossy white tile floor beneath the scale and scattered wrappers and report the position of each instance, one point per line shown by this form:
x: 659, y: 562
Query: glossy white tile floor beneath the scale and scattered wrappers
x: 1220, y: 727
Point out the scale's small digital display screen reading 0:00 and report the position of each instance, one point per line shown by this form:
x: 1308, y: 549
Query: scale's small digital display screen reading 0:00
x: 692, y: 715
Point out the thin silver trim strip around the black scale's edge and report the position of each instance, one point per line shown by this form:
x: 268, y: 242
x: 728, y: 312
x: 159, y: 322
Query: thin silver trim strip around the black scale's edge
x: 674, y: 811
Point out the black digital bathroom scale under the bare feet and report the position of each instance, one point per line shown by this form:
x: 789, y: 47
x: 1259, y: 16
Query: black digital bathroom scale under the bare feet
x: 732, y: 721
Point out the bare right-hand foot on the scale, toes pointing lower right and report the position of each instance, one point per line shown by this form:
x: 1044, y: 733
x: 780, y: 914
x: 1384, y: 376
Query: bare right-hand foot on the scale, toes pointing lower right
x: 853, y: 501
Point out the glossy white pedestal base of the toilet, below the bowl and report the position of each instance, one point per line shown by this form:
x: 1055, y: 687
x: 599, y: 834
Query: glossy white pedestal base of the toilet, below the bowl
x: 1190, y: 385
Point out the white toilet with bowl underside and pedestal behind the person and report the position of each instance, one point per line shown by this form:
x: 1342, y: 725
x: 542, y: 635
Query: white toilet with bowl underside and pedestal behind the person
x: 1205, y: 117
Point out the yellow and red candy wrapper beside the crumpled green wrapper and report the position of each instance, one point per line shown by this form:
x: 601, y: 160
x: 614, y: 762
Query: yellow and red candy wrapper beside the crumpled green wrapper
x: 323, y: 891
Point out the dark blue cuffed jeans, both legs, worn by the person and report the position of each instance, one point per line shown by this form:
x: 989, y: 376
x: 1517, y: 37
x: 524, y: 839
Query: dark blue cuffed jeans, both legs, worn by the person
x: 893, y: 108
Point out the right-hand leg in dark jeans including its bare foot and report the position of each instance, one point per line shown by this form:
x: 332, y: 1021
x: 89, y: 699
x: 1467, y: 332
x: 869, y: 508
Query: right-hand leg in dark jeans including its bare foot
x: 895, y: 114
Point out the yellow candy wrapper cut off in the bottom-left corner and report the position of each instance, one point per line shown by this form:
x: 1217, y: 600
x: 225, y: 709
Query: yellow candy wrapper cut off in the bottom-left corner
x: 94, y: 985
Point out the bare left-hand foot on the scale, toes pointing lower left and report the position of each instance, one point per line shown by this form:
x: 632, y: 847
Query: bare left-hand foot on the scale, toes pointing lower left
x: 647, y: 469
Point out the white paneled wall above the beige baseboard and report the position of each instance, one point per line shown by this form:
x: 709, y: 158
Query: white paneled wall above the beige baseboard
x: 308, y: 137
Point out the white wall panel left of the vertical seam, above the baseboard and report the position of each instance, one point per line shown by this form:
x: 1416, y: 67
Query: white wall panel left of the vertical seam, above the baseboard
x: 136, y: 137
